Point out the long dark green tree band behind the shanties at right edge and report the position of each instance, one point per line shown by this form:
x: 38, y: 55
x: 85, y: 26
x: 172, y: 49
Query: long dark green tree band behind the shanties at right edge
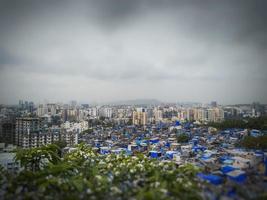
x: 250, y: 123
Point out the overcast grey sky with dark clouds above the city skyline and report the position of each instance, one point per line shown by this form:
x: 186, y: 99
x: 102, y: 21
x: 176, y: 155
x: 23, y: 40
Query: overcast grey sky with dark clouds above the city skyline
x: 111, y: 50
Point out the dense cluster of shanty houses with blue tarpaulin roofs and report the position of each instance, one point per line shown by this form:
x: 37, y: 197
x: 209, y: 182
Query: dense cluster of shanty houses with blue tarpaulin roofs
x: 223, y: 165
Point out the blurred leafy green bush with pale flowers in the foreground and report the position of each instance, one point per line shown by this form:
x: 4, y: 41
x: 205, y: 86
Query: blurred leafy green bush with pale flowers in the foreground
x: 85, y: 174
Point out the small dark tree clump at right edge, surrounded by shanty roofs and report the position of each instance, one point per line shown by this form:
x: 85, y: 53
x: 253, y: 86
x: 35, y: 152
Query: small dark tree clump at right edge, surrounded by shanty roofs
x: 251, y: 142
